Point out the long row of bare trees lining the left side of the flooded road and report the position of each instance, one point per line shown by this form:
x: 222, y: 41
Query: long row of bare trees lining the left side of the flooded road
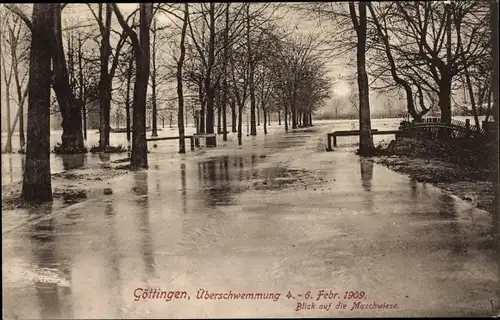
x: 225, y: 55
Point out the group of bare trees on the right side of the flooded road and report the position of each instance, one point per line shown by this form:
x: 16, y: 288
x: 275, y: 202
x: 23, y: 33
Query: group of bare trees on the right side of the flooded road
x: 426, y: 48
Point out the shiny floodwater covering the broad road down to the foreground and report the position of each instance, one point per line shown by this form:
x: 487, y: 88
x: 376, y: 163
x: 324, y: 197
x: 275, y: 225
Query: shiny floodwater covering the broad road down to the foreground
x: 277, y: 215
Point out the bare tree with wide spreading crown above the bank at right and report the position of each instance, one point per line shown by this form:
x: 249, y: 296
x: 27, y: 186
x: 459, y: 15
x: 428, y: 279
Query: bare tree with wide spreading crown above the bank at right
x: 457, y: 33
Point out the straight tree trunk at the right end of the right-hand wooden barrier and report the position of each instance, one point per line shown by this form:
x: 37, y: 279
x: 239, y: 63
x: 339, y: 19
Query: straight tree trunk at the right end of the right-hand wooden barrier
x: 365, y: 138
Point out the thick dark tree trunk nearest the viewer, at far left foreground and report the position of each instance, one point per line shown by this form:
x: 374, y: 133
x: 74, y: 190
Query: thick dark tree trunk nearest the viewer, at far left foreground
x: 37, y: 185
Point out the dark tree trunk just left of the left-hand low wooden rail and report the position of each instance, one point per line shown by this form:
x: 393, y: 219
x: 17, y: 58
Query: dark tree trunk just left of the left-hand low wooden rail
x: 139, y: 145
